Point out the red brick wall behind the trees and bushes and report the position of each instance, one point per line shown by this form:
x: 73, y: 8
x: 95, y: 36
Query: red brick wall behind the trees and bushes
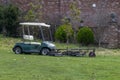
x: 94, y: 13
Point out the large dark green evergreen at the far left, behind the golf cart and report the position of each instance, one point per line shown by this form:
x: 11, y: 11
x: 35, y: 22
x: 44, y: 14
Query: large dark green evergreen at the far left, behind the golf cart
x: 9, y: 19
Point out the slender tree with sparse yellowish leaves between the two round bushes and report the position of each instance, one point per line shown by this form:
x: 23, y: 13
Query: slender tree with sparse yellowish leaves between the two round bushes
x: 74, y: 15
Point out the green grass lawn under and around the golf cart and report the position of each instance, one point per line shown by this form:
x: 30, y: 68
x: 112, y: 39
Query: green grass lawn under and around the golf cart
x: 106, y: 66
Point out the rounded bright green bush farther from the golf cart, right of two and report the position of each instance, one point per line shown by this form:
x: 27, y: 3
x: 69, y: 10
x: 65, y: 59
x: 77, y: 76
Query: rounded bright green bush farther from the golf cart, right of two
x: 85, y: 36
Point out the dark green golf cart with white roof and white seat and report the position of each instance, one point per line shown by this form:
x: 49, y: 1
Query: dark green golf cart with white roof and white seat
x: 42, y: 48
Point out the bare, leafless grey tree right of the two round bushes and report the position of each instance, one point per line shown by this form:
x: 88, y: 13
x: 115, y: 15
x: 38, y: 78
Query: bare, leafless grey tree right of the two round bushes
x: 101, y: 21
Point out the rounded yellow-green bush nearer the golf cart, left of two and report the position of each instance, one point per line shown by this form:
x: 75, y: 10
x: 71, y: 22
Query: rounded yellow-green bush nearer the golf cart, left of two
x: 64, y: 33
